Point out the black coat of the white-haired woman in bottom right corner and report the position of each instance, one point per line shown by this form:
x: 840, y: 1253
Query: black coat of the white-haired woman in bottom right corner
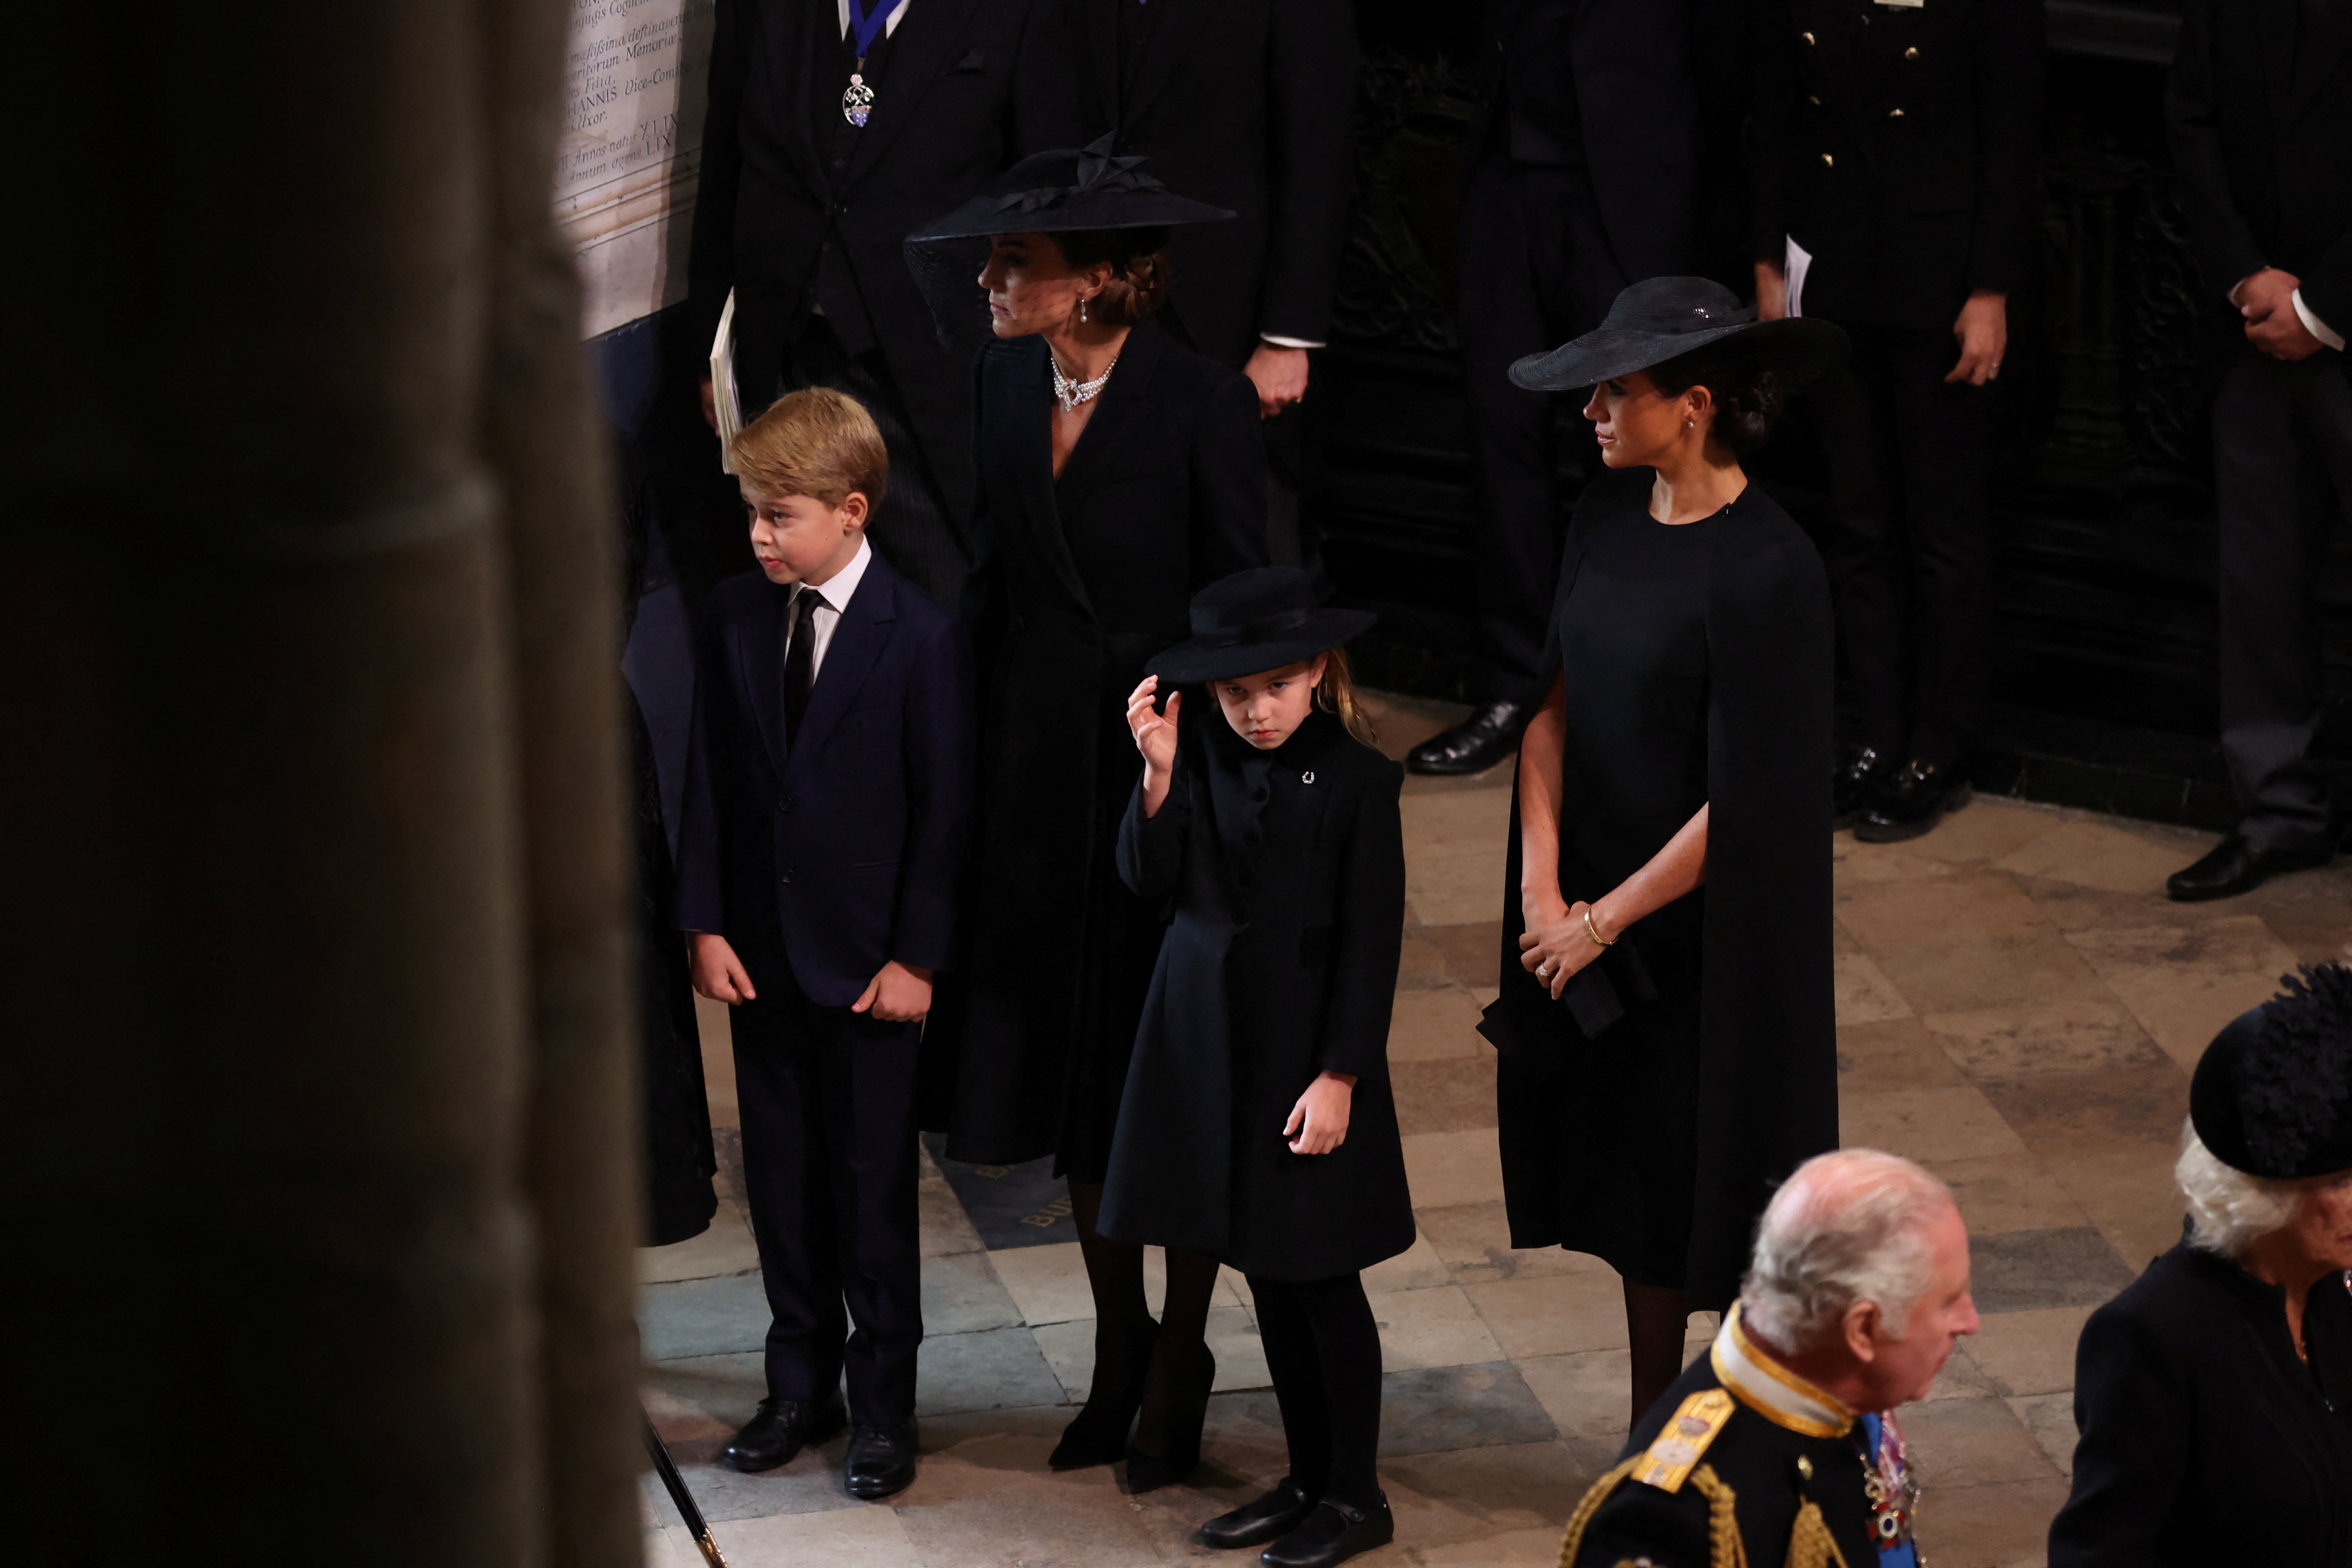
x: 2205, y: 1440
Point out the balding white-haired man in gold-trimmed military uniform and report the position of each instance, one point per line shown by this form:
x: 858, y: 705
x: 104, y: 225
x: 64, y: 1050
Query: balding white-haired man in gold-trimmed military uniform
x: 1777, y: 1447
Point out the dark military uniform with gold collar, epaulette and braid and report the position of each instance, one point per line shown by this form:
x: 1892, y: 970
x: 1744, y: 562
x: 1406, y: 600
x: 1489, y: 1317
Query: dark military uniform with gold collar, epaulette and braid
x: 1744, y: 1463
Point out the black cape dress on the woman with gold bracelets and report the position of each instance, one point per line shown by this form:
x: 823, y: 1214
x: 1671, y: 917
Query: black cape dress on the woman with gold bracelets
x: 1650, y: 1115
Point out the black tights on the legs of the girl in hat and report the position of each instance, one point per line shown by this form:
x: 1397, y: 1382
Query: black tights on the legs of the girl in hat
x: 1325, y: 1355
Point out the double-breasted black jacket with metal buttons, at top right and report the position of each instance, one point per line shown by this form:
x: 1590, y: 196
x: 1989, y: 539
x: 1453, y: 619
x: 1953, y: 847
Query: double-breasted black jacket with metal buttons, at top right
x: 1899, y: 145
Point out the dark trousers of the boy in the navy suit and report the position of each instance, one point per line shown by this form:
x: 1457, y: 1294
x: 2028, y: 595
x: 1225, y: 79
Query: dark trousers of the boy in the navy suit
x: 829, y: 1165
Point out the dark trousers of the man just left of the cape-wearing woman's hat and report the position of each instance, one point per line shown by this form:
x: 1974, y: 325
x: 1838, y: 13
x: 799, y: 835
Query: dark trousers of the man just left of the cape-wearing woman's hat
x: 1537, y: 272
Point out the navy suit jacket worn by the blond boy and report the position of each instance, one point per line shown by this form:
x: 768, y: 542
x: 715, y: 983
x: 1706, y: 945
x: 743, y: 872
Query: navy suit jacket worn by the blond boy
x: 843, y: 850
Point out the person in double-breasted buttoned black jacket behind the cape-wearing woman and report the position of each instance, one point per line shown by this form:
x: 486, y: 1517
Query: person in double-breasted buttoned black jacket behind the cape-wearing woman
x: 1895, y: 196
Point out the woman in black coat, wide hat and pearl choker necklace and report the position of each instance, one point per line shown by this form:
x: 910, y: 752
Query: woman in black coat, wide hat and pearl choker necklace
x: 1116, y: 476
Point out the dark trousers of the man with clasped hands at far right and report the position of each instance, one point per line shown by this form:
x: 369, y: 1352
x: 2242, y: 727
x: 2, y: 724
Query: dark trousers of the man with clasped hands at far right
x: 2283, y: 464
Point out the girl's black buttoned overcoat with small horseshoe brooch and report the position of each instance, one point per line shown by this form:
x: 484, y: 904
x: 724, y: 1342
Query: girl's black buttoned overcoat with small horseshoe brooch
x: 1285, y: 885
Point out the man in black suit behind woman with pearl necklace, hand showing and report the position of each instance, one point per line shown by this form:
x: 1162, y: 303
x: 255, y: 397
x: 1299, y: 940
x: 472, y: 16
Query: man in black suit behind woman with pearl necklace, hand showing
x: 1243, y: 105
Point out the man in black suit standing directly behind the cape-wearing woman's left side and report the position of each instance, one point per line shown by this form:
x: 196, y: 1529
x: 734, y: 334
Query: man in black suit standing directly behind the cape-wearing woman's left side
x: 1582, y: 180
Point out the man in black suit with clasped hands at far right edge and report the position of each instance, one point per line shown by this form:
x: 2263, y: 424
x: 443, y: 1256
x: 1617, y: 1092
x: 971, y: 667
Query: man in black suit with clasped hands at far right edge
x: 2261, y: 130
